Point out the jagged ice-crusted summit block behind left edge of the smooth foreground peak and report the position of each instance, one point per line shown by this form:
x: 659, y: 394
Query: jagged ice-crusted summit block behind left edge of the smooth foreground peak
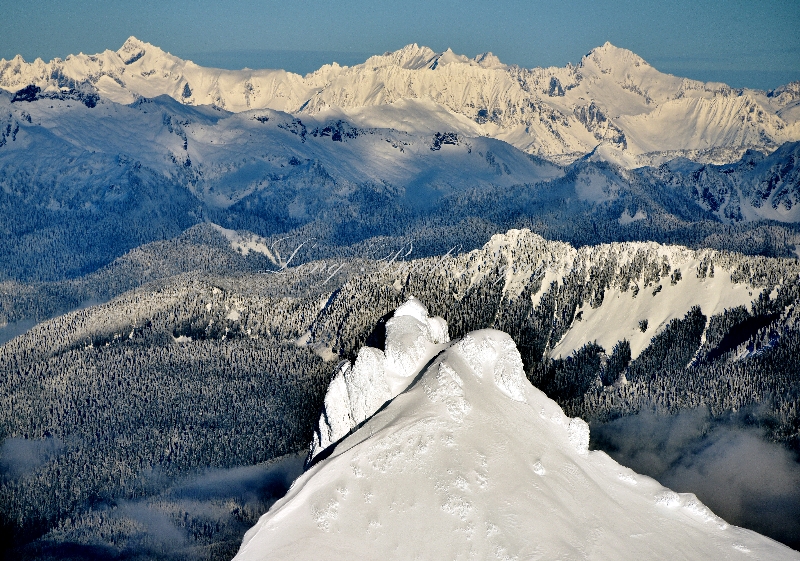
x: 358, y: 391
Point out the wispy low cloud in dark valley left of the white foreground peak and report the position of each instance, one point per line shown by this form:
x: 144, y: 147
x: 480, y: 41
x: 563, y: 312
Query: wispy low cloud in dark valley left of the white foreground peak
x: 199, y: 517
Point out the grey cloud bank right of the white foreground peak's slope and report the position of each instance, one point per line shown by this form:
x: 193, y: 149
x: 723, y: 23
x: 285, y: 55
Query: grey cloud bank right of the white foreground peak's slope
x: 744, y: 478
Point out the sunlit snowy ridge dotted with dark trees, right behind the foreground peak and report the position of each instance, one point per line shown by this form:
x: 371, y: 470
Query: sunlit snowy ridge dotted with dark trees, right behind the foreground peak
x: 622, y: 284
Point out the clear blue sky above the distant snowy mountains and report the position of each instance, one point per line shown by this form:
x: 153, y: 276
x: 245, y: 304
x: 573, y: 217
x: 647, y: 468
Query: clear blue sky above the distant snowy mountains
x: 746, y: 43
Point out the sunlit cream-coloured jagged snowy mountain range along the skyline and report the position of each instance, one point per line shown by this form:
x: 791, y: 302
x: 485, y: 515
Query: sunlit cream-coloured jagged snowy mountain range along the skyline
x: 612, y: 98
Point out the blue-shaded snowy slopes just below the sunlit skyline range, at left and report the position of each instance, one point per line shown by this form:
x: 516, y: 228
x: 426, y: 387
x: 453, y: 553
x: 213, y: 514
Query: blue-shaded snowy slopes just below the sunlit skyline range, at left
x: 224, y: 157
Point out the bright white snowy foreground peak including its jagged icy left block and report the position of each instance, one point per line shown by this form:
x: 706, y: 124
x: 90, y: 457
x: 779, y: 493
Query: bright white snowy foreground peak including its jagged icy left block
x: 472, y: 462
